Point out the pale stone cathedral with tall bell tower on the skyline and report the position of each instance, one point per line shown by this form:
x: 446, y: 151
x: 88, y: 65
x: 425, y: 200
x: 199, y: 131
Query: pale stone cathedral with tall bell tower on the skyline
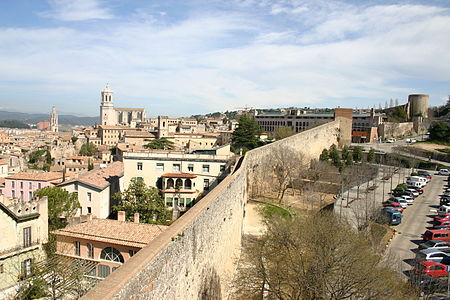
x: 116, y: 116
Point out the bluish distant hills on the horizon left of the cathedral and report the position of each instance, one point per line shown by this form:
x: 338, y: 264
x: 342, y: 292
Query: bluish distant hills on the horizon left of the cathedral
x: 35, y: 118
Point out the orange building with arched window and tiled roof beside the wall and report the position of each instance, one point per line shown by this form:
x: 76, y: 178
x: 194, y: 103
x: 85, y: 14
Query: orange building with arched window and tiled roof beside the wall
x: 107, y: 243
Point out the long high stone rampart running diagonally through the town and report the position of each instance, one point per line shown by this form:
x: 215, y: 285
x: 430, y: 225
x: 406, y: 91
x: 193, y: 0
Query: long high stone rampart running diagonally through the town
x: 195, y: 257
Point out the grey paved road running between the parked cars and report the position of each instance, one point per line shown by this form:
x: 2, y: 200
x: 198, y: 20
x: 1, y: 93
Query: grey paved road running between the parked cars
x: 416, y: 219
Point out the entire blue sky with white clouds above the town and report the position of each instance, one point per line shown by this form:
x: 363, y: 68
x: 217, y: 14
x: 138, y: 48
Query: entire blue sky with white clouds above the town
x: 184, y: 57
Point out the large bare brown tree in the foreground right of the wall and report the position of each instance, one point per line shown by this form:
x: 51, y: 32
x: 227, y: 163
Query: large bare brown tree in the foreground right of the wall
x: 315, y: 257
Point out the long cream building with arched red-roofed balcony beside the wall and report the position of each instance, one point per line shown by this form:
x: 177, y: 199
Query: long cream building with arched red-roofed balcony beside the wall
x: 182, y: 177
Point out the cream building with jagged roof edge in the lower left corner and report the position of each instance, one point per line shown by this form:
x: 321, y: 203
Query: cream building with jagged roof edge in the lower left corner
x: 24, y: 231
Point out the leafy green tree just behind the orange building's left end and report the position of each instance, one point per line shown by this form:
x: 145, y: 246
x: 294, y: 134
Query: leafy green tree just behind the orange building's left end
x: 61, y: 205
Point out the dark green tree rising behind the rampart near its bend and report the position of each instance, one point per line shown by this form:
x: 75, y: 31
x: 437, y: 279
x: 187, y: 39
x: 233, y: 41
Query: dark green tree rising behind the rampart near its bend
x: 246, y: 135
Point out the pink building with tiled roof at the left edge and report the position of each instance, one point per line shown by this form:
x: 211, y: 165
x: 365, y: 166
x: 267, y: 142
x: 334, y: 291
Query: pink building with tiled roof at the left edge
x: 23, y: 185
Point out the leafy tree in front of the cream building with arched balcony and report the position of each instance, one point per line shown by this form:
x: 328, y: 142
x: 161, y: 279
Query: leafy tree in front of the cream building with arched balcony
x: 139, y: 198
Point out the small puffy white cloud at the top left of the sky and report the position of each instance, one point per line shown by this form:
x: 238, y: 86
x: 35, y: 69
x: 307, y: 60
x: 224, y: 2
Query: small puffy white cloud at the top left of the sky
x: 77, y: 10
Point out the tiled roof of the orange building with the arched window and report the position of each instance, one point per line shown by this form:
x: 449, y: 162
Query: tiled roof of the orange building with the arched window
x: 114, y: 232
